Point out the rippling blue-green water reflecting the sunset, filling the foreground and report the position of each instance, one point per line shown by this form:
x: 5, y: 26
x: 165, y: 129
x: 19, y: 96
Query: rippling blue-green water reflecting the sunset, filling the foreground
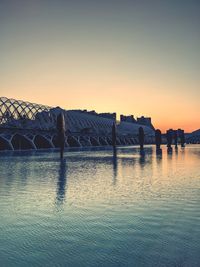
x: 96, y: 210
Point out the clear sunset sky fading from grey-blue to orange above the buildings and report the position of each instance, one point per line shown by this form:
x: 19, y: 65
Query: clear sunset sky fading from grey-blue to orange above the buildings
x: 130, y: 56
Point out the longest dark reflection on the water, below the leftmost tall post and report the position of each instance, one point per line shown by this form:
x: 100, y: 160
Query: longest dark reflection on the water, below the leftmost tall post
x: 61, y: 184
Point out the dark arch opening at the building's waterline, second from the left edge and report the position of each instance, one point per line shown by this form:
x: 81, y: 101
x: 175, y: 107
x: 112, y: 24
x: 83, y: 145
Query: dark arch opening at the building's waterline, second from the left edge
x: 20, y: 142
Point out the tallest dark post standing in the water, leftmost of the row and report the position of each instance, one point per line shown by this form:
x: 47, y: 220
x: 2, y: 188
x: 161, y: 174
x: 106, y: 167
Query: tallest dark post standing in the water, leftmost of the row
x: 61, y: 133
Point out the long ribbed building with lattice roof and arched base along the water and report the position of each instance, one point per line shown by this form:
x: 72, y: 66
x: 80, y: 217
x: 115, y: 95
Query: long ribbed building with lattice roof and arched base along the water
x: 25, y: 125
